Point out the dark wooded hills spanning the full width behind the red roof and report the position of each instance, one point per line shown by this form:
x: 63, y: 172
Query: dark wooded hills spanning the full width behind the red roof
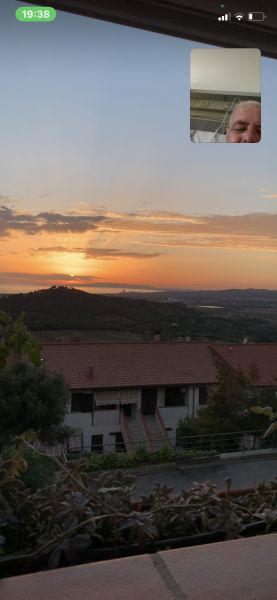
x: 62, y: 309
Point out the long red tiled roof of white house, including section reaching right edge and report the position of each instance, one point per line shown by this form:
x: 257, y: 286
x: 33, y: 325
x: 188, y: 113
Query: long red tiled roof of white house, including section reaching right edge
x: 136, y: 364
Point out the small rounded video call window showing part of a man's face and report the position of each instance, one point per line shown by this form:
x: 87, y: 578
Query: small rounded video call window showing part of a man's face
x: 225, y: 95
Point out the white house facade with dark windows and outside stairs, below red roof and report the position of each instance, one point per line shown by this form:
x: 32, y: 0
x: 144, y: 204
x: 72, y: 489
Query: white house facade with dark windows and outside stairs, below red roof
x: 150, y: 415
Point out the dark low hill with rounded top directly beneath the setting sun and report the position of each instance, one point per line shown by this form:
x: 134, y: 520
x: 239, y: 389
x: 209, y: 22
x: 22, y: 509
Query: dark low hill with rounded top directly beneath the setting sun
x: 68, y: 308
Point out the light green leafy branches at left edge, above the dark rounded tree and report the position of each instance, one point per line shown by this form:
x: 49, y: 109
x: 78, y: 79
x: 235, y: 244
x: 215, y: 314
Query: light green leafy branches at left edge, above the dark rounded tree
x: 16, y: 341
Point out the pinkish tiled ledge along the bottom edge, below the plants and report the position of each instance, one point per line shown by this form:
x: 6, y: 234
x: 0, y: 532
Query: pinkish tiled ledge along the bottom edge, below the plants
x: 236, y: 570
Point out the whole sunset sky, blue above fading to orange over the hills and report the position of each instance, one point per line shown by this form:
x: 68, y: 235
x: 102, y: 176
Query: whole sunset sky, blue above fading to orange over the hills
x: 100, y: 186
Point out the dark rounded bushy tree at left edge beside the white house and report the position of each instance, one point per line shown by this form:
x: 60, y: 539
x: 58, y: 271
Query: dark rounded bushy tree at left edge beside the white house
x: 31, y: 398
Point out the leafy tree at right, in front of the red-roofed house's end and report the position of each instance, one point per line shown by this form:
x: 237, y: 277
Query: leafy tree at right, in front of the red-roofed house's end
x: 229, y: 403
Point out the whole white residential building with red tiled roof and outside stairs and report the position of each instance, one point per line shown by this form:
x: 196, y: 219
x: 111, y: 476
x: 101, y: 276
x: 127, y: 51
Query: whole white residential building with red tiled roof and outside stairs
x: 123, y: 393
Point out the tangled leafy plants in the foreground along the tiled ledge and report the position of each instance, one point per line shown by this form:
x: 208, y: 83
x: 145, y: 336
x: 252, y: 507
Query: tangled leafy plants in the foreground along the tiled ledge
x: 74, y: 519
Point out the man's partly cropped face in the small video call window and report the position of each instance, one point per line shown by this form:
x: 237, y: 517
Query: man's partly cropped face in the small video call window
x: 245, y: 125
